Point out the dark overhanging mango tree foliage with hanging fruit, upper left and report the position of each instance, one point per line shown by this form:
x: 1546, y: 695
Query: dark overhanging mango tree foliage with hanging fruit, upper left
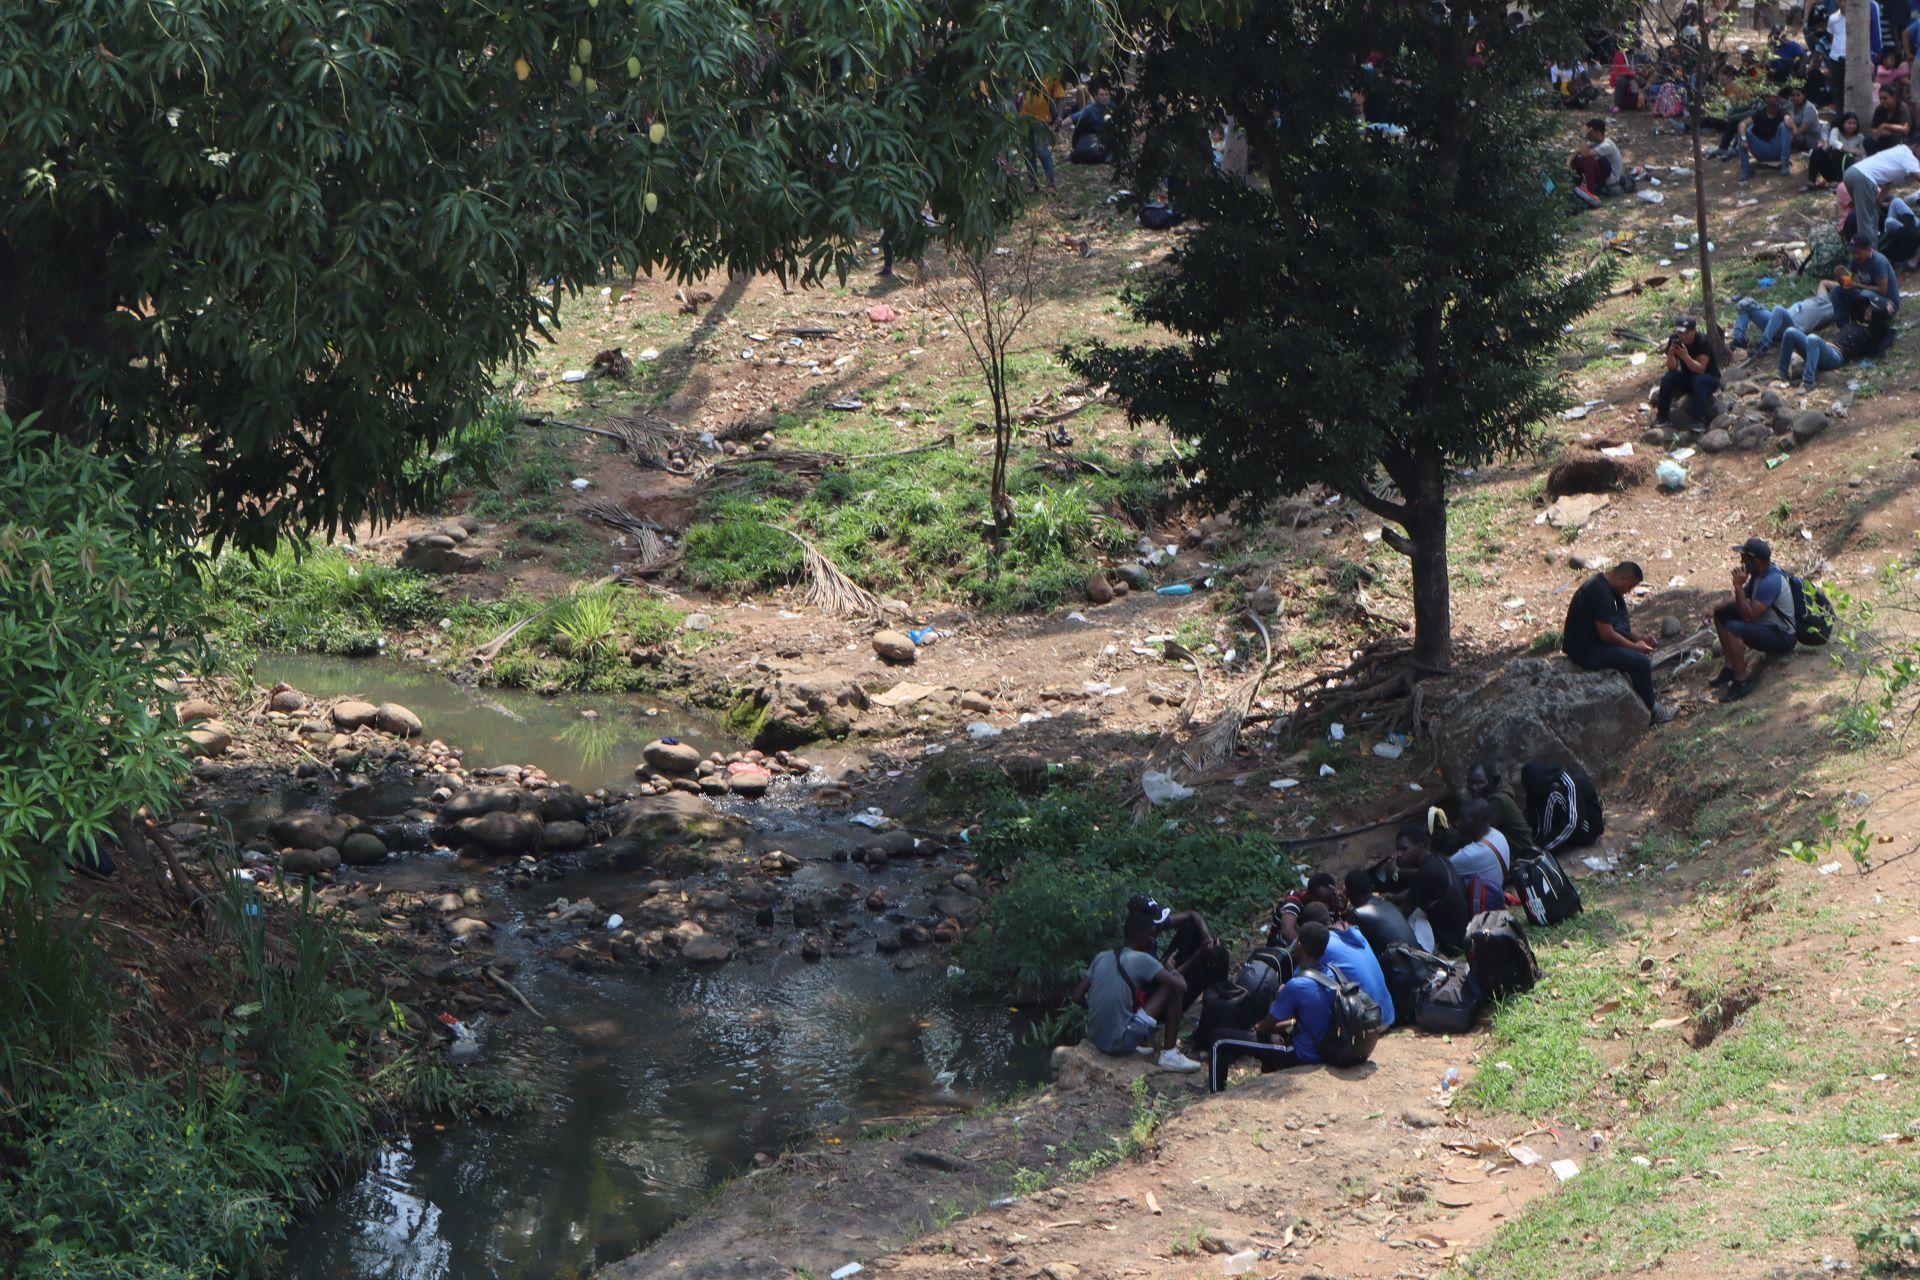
x: 274, y: 250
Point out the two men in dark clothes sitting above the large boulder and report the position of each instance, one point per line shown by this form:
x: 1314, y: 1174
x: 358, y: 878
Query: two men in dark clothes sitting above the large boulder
x: 1756, y: 617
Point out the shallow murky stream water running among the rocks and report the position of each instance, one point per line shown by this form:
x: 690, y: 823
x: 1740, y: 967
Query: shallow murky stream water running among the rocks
x: 648, y: 1089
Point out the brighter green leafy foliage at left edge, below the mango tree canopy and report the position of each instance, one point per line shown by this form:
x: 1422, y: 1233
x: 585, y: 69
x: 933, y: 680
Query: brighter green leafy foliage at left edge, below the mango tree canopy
x: 84, y: 604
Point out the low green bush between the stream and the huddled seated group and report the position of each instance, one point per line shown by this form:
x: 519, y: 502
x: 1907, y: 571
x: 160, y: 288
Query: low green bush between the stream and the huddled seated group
x: 1070, y: 865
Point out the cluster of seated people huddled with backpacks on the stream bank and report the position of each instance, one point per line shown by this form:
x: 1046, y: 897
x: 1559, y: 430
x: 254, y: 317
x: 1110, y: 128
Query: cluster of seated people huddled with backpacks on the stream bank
x: 1424, y: 897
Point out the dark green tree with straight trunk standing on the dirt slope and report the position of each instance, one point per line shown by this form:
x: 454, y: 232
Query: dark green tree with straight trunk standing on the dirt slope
x: 1381, y: 304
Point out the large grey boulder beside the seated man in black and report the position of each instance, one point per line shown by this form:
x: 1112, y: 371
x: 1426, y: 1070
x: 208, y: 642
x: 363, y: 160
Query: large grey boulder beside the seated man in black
x: 1541, y: 709
